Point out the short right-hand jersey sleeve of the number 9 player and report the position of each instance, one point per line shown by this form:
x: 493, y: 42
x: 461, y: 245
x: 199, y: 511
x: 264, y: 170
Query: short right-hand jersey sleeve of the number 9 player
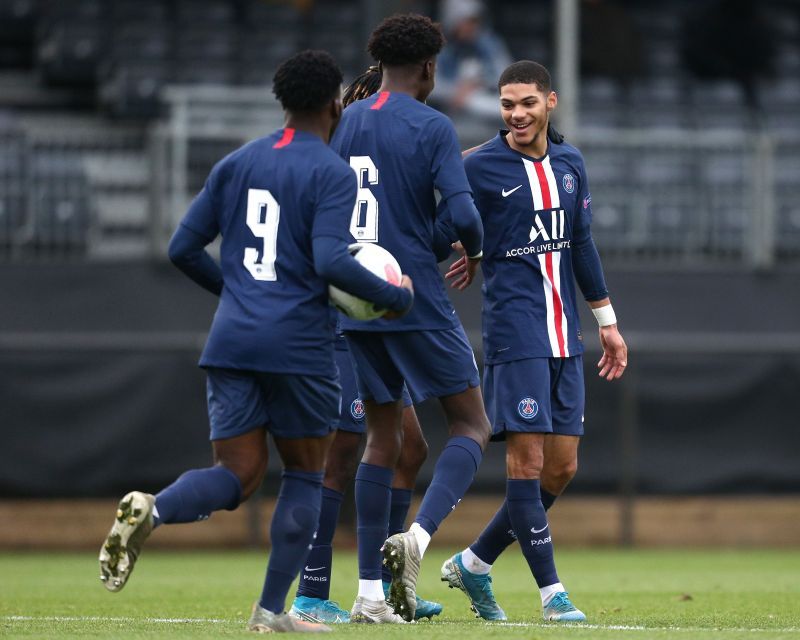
x: 336, y: 196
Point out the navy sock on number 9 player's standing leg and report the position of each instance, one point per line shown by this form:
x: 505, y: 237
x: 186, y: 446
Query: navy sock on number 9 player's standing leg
x: 292, y: 530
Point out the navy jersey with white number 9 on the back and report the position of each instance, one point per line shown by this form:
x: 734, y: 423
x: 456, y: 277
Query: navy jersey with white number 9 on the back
x: 269, y: 200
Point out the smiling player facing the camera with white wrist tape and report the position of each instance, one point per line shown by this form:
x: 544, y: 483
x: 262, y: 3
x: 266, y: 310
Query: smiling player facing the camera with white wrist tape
x: 533, y: 196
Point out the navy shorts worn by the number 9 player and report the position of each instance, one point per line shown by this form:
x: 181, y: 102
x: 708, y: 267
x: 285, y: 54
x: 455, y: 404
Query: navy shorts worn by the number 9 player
x: 288, y: 405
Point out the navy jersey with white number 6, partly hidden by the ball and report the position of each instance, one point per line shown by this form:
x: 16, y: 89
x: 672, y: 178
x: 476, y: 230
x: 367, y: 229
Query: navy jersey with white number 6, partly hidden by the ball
x: 401, y: 151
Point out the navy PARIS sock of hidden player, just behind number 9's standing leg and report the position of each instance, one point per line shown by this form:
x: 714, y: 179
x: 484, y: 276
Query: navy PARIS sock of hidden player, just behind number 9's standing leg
x: 315, y: 578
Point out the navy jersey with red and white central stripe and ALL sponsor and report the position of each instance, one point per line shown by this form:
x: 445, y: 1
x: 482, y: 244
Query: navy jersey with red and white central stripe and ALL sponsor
x: 535, y: 212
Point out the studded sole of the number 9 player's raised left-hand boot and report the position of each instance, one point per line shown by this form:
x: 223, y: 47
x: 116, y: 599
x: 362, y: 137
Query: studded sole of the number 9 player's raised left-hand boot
x: 133, y: 511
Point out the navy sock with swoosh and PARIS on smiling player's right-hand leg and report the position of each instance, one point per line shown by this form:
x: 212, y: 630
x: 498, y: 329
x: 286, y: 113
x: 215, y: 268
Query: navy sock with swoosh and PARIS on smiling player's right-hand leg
x: 529, y: 521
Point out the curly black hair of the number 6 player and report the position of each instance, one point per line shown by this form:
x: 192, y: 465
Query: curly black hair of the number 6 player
x: 405, y: 39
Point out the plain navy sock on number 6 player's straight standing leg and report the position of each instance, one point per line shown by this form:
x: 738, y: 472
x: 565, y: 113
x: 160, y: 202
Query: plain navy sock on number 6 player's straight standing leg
x: 373, y: 504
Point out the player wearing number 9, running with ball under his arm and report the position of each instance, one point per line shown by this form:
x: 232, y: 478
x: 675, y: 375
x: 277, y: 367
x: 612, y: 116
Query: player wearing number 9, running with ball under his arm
x: 282, y: 204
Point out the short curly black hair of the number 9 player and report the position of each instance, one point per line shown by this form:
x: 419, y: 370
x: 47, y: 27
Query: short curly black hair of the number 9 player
x: 307, y: 81
